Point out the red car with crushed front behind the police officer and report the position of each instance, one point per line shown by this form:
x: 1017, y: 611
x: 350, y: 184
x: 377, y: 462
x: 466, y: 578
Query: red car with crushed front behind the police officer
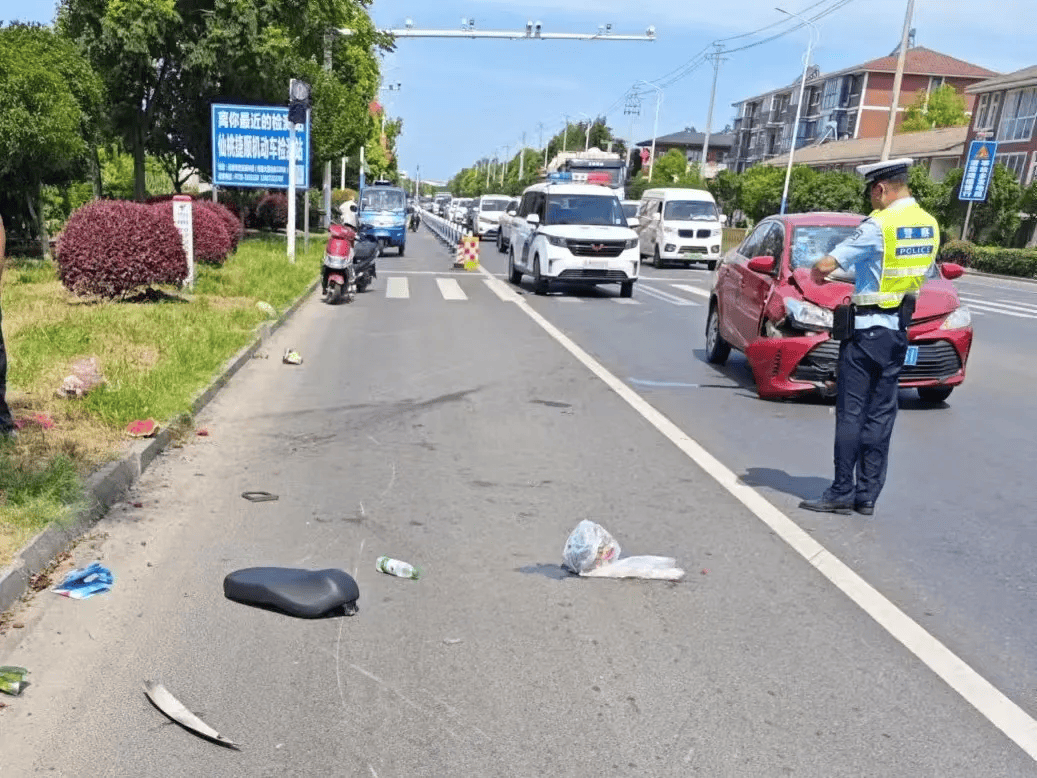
x: 765, y: 304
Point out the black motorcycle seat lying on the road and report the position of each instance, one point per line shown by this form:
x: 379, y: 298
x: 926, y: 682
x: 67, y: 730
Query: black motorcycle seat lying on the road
x: 298, y: 593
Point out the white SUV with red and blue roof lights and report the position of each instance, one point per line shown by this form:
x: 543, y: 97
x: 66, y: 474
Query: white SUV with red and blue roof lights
x: 575, y: 234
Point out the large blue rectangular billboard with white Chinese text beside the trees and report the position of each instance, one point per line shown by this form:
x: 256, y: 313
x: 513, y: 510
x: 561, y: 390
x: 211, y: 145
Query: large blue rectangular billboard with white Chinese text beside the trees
x: 250, y: 148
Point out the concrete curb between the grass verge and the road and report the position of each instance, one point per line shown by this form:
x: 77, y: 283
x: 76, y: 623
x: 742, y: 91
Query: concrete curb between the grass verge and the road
x: 110, y: 484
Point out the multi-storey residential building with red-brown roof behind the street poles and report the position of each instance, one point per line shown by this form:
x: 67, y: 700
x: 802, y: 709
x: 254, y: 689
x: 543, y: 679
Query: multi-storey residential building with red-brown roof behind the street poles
x: 851, y: 103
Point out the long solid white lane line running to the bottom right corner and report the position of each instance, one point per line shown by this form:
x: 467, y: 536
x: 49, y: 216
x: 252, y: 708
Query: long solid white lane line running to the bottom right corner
x: 980, y: 693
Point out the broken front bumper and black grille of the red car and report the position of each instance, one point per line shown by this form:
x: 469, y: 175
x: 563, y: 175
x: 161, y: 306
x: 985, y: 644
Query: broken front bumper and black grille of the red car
x: 802, y: 365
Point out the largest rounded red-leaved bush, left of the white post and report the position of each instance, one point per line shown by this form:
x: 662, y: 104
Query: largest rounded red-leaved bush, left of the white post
x: 110, y: 247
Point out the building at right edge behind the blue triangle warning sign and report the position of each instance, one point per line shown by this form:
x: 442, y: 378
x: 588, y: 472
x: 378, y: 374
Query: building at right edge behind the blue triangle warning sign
x: 1006, y: 112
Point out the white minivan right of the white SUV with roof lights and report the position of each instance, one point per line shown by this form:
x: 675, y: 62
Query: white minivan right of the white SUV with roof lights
x: 681, y: 226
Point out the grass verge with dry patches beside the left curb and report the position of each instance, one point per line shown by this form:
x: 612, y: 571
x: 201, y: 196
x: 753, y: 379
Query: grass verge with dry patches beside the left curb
x: 156, y: 352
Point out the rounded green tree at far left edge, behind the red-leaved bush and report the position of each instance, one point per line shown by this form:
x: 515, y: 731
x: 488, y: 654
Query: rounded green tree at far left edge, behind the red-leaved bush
x: 49, y: 119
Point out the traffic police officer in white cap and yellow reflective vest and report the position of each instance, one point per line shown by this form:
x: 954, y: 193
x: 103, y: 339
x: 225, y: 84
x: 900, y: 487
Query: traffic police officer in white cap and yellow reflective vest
x: 891, y: 254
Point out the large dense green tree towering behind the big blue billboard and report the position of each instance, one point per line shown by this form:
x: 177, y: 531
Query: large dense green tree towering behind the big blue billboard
x: 165, y: 62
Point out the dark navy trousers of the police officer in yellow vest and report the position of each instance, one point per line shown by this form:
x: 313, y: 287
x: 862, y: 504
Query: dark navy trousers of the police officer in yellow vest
x: 870, y: 371
